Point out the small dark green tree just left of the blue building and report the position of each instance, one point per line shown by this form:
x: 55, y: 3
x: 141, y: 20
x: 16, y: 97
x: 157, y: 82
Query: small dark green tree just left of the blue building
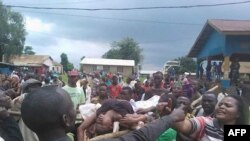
x: 186, y: 64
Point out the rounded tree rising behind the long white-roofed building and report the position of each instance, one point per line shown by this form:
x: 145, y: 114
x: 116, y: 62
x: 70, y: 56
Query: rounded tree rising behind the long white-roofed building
x: 127, y: 49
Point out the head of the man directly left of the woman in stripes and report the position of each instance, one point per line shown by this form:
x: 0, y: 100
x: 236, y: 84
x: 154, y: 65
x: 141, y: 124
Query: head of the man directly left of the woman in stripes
x: 208, y: 102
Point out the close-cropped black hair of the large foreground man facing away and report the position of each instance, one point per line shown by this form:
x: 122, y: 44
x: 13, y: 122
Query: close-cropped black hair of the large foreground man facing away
x: 43, y: 108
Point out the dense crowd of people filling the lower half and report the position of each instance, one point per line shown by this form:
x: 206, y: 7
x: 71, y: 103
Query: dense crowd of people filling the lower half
x: 159, y: 108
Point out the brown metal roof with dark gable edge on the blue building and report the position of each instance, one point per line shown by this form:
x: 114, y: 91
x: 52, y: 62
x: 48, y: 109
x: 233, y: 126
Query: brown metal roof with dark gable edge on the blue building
x: 227, y: 27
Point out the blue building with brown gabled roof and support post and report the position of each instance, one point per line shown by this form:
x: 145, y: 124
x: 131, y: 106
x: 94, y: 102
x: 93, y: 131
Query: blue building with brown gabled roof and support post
x: 223, y: 40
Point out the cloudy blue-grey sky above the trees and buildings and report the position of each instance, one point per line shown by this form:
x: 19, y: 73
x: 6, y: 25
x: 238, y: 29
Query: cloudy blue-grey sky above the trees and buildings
x: 163, y: 34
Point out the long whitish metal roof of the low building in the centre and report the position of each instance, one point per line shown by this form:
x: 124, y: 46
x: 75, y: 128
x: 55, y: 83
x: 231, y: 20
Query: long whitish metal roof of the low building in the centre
x: 112, y: 62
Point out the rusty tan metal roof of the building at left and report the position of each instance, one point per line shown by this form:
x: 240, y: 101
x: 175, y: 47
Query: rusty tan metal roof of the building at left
x: 29, y: 60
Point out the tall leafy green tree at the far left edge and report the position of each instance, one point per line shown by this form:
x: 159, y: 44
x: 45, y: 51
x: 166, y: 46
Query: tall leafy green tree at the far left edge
x: 12, y: 33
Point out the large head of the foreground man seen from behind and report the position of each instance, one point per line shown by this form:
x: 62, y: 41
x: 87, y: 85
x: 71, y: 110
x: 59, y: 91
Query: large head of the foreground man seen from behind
x: 47, y: 110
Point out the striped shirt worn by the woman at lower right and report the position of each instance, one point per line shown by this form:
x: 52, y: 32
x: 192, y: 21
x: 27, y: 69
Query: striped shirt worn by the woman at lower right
x: 206, y: 129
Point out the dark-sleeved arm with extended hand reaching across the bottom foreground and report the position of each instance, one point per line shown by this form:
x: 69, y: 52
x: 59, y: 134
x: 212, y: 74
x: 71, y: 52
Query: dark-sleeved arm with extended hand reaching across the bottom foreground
x: 152, y: 131
